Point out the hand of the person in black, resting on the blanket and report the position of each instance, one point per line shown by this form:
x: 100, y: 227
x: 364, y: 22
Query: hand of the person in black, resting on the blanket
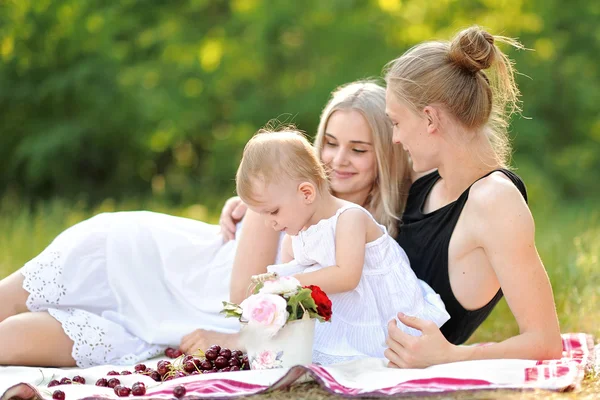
x: 407, y: 351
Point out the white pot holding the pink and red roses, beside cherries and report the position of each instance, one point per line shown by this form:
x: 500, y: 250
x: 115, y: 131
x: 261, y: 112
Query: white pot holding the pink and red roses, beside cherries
x: 291, y: 346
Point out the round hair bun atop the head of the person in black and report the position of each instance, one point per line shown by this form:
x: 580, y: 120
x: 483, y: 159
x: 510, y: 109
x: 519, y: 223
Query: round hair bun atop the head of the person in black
x: 473, y: 49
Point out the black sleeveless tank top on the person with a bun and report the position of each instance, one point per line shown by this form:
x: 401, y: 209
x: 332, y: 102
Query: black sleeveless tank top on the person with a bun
x: 426, y: 240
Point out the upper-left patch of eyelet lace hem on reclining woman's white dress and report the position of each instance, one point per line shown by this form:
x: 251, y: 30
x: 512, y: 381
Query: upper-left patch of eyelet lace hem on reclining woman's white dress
x: 42, y: 279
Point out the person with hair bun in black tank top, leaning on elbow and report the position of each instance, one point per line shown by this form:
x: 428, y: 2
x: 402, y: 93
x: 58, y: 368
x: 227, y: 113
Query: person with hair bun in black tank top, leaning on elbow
x: 466, y: 228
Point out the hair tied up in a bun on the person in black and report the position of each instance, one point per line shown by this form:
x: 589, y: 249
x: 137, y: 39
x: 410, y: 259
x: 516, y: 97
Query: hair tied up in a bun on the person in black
x: 451, y: 74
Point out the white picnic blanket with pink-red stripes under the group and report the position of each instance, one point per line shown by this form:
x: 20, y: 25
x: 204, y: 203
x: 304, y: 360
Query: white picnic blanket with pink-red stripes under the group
x: 368, y: 377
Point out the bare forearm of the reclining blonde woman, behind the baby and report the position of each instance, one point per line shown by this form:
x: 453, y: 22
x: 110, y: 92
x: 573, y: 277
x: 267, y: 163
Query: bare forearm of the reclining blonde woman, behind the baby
x: 257, y: 248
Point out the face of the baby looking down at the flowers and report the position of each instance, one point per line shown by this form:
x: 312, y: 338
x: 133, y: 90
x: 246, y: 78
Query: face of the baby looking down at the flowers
x: 283, y: 207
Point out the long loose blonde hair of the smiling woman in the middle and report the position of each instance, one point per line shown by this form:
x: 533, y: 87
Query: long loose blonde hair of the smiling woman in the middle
x: 390, y: 190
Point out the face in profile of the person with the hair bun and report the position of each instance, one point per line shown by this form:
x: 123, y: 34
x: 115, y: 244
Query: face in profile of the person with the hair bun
x: 410, y: 130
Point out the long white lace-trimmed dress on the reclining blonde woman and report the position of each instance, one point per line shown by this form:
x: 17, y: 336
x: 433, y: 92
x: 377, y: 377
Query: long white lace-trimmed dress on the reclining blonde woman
x: 126, y: 285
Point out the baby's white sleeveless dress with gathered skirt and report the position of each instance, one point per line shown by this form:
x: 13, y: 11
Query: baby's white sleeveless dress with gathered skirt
x: 388, y: 285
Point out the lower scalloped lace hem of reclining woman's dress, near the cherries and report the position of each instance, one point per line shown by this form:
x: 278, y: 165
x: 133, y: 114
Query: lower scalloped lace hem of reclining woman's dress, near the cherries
x: 91, y: 344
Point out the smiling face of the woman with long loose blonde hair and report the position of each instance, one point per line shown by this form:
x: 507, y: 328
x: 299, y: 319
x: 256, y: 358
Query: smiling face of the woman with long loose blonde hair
x: 349, y: 153
